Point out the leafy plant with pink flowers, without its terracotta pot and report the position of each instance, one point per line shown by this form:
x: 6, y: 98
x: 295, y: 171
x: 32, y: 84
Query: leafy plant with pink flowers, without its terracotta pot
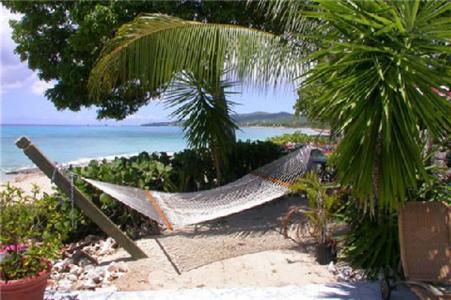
x: 30, y: 233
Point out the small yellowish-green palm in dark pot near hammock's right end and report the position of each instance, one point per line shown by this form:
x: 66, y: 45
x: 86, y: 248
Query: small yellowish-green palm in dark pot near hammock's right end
x: 315, y: 219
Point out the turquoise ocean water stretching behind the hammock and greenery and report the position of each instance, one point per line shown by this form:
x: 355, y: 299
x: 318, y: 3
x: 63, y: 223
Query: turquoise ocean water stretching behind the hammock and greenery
x: 80, y: 144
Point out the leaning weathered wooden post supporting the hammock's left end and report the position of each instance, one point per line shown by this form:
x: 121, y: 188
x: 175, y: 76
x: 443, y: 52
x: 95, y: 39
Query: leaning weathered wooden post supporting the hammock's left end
x: 88, y: 208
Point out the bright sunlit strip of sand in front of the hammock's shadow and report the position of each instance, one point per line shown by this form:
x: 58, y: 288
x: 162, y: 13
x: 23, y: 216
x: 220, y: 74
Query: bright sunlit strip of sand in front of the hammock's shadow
x: 273, y: 268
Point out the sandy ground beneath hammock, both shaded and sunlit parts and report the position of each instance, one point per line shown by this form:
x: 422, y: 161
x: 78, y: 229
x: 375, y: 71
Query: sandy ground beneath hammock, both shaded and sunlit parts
x: 242, y: 250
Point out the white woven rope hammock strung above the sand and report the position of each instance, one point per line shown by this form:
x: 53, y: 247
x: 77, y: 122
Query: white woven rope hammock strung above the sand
x: 175, y: 210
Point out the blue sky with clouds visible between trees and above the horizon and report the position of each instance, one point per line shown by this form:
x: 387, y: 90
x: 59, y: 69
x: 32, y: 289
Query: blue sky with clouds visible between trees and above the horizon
x: 22, y: 99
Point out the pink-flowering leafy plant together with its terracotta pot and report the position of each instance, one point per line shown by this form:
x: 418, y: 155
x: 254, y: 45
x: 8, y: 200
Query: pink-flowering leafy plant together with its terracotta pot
x: 27, y: 244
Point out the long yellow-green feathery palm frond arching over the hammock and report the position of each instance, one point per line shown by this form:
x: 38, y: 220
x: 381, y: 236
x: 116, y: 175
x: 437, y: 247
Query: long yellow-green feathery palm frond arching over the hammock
x: 154, y: 47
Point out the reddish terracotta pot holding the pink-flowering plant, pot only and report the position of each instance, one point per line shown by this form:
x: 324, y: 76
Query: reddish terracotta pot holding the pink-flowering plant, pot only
x: 30, y: 288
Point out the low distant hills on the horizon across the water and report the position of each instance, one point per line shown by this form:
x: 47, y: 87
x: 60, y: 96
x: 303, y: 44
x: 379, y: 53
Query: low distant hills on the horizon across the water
x: 280, y: 119
